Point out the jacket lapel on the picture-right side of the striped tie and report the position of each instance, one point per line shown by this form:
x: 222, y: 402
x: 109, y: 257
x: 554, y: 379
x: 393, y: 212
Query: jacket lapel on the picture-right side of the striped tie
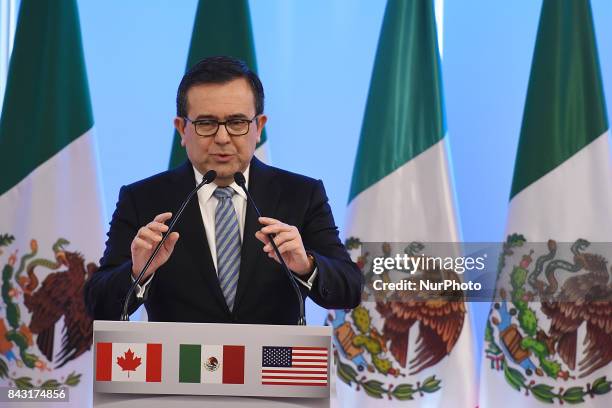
x: 265, y: 192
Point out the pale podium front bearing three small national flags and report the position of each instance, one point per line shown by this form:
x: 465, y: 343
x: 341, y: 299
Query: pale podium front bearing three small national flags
x: 161, y: 364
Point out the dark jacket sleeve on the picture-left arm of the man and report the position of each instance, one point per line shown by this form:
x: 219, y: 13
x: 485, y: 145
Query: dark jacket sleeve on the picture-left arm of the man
x: 106, y: 289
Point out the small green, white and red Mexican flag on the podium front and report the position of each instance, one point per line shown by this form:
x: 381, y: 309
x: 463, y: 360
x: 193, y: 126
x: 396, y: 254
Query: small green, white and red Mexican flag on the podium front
x: 211, y: 364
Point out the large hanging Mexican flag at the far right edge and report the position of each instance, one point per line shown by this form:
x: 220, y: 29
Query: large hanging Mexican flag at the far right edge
x: 548, y: 336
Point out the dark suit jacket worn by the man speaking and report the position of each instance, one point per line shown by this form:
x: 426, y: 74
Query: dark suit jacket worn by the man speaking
x: 187, y: 289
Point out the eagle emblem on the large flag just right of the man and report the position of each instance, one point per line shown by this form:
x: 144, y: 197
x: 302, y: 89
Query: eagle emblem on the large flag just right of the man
x: 371, y: 341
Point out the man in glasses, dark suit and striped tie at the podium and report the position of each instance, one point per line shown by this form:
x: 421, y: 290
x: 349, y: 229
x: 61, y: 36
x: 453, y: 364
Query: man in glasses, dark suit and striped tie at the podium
x: 218, y: 266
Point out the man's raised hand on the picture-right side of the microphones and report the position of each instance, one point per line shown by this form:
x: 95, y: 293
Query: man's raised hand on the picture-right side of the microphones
x: 289, y: 242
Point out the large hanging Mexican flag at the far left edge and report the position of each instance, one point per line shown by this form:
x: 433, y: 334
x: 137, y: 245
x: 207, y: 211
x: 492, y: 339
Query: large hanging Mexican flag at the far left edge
x: 51, y: 220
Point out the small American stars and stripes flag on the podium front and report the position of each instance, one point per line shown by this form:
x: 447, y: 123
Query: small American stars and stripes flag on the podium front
x: 298, y: 366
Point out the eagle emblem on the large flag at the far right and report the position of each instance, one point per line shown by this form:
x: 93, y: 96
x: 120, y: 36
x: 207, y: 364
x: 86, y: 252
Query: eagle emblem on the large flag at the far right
x: 544, y: 296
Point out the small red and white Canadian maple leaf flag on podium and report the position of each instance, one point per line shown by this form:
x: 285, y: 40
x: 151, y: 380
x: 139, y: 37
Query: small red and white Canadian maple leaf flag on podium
x: 136, y: 362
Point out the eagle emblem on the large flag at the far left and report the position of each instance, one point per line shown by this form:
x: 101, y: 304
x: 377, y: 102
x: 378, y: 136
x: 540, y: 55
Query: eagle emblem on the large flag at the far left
x: 37, y: 295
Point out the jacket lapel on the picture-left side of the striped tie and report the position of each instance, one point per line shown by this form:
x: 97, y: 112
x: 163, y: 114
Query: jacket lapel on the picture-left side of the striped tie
x: 193, y: 235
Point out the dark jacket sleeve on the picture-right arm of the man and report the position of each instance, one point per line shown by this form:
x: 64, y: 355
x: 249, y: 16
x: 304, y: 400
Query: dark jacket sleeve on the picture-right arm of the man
x: 339, y: 281
